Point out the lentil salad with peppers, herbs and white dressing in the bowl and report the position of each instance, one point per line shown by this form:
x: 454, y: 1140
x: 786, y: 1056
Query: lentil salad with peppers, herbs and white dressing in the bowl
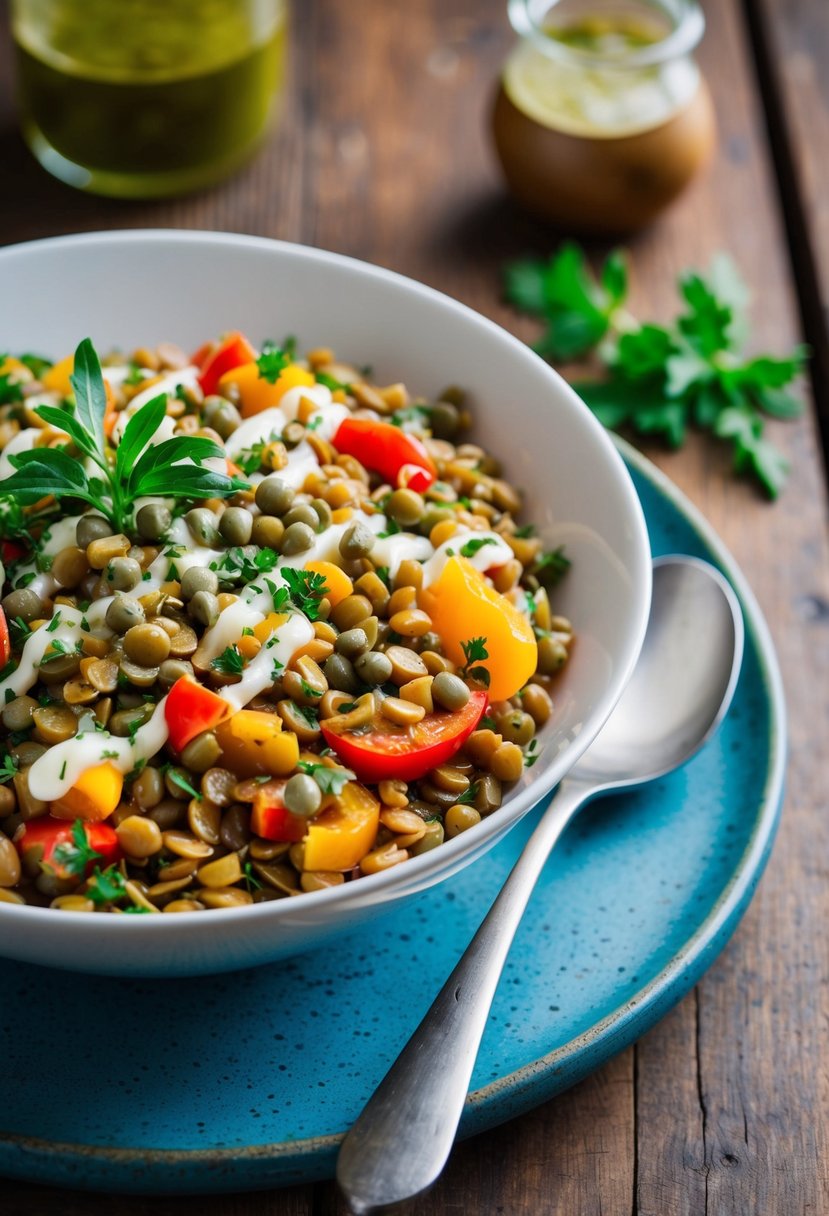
x: 267, y: 628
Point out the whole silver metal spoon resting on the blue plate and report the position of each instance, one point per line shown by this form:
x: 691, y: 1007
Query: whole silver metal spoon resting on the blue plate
x: 679, y: 694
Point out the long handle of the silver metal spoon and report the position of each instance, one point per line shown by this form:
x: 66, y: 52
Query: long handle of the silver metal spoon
x: 420, y: 1101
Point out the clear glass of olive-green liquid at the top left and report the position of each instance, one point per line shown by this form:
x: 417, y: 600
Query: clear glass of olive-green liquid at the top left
x: 139, y: 99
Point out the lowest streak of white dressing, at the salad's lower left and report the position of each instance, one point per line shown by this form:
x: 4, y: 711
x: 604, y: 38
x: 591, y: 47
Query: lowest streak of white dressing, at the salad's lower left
x: 59, y: 769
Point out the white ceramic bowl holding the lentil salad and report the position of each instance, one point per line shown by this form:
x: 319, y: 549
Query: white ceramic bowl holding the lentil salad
x: 137, y: 289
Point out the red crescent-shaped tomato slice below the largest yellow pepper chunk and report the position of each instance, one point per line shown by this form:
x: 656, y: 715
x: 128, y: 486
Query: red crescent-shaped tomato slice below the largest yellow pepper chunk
x: 384, y: 752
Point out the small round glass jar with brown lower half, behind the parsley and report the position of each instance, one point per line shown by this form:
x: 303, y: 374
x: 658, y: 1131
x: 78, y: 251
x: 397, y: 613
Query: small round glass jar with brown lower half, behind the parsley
x: 602, y: 115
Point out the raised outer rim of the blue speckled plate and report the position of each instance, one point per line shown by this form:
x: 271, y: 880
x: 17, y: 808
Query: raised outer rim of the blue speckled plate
x: 520, y: 1090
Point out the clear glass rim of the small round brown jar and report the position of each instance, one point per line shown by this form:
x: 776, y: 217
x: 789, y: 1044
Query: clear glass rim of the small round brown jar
x: 528, y: 19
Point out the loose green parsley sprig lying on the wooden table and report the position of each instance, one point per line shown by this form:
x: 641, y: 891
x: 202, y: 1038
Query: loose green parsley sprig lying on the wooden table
x: 664, y: 380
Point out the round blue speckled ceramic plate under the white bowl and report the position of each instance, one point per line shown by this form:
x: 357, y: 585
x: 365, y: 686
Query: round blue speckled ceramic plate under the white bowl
x: 250, y: 1080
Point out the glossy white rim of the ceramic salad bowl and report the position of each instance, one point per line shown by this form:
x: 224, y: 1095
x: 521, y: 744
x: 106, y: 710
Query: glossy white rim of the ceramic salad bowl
x: 371, y: 890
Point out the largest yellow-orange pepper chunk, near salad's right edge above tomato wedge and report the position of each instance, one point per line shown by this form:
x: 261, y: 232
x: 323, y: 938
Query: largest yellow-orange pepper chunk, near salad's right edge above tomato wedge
x: 464, y: 606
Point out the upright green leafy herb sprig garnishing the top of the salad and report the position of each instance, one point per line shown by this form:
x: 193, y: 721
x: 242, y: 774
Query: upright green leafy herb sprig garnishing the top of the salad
x: 138, y: 469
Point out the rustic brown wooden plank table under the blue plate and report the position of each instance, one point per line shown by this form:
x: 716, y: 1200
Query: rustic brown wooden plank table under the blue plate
x: 724, y: 1107
